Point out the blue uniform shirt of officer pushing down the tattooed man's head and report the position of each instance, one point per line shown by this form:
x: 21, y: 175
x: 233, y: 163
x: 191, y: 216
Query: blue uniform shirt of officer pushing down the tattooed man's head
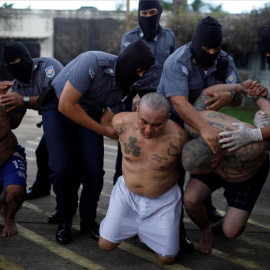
x: 182, y: 76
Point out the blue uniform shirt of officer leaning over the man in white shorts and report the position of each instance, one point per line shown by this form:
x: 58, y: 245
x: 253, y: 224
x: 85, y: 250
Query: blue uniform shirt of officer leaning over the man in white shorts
x: 93, y: 74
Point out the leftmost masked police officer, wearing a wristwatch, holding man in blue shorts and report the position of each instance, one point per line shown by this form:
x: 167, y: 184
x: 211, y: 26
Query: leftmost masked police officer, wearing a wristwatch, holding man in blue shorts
x: 31, y: 77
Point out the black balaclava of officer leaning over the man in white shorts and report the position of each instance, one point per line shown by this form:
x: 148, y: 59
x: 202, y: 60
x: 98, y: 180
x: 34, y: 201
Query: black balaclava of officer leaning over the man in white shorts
x: 136, y: 55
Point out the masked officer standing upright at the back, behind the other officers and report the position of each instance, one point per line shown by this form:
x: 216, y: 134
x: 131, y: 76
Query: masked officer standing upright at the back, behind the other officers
x: 160, y: 39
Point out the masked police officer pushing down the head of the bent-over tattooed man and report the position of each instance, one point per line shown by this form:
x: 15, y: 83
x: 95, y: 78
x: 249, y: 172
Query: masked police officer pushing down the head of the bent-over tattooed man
x: 189, y: 70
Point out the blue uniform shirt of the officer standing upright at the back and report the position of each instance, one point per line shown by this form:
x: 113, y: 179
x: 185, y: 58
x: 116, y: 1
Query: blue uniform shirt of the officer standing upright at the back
x: 162, y: 46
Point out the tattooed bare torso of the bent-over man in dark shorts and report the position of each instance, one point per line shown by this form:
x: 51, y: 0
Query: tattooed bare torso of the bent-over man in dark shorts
x: 241, y: 164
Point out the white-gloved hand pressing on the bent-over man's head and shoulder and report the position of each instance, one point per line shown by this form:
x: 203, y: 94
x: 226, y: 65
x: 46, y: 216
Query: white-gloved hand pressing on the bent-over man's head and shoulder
x: 244, y: 135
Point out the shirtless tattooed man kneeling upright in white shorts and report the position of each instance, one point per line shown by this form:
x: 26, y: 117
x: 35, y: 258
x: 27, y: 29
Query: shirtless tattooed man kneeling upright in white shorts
x: 146, y: 200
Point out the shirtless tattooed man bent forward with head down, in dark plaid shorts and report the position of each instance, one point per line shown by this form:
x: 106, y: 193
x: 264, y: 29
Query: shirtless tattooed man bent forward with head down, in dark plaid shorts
x: 242, y: 173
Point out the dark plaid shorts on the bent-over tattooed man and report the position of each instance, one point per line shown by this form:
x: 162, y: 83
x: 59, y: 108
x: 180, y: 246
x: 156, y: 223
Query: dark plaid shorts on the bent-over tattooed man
x: 241, y: 195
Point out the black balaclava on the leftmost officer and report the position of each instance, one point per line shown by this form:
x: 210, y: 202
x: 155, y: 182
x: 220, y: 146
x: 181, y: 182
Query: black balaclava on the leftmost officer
x: 22, y: 70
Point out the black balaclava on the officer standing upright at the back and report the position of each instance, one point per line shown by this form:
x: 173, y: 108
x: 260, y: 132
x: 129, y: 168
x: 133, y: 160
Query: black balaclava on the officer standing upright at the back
x: 149, y: 25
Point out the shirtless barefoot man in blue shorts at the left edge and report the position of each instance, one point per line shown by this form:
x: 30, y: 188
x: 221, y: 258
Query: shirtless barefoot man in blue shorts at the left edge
x: 12, y: 170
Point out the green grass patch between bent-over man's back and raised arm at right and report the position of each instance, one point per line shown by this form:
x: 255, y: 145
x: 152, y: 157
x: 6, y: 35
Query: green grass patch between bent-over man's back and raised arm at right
x: 243, y: 114
